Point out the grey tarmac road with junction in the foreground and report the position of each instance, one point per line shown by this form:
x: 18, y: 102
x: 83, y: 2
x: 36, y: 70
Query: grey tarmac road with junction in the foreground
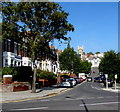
x: 82, y: 97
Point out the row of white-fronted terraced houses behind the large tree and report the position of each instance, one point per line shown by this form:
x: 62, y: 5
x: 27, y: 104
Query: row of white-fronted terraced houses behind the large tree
x: 14, y: 56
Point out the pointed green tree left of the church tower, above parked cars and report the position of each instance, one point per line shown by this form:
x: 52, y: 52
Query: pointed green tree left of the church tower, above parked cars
x: 69, y: 60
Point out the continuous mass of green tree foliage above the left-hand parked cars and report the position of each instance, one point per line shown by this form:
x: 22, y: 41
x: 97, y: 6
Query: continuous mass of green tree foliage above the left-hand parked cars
x: 70, y: 61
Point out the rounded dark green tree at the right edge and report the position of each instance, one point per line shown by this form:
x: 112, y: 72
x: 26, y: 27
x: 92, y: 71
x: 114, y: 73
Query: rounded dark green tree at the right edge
x: 108, y: 63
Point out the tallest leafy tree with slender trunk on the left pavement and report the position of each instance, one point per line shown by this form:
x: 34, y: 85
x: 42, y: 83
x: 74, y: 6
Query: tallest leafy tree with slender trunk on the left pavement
x: 39, y: 23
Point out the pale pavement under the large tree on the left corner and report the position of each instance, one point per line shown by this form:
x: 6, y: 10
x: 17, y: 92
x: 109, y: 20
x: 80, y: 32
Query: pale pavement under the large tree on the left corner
x: 27, y: 95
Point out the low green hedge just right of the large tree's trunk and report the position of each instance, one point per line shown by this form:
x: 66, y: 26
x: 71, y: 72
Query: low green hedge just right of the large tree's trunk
x: 45, y: 74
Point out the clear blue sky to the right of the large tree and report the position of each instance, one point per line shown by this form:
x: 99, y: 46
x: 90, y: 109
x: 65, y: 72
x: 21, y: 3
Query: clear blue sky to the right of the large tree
x: 95, y: 23
